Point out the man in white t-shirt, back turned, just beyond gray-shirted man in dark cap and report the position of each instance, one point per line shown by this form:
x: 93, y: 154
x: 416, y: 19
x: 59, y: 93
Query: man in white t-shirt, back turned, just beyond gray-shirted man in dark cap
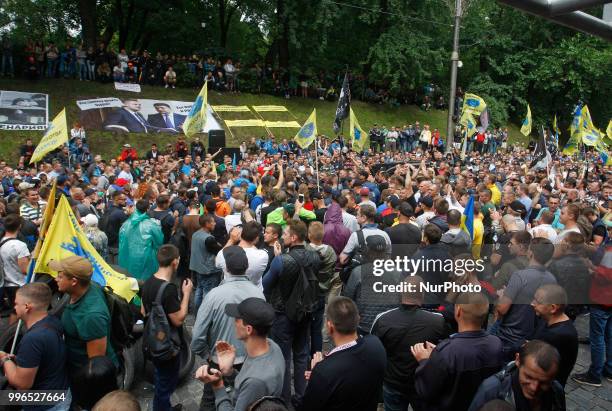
x: 258, y: 259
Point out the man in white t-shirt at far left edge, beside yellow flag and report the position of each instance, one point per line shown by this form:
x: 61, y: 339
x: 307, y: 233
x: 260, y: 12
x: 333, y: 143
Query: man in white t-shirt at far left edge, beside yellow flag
x: 15, y: 259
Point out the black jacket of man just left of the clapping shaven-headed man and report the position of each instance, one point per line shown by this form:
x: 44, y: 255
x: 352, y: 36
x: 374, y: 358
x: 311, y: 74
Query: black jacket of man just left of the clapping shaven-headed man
x: 403, y: 327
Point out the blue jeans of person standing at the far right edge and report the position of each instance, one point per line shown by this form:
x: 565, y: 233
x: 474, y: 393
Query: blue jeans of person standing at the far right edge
x: 600, y: 334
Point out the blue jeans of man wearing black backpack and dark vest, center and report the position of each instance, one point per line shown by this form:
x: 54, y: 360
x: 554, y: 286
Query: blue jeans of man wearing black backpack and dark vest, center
x: 292, y: 338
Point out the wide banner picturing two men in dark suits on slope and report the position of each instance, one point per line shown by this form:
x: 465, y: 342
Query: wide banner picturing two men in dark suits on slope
x: 134, y: 115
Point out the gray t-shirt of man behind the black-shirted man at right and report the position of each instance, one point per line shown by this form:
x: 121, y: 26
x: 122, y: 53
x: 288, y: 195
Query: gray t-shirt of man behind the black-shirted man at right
x: 519, y: 322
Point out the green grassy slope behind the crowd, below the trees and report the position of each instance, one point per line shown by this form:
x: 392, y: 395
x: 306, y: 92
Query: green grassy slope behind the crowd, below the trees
x: 64, y: 93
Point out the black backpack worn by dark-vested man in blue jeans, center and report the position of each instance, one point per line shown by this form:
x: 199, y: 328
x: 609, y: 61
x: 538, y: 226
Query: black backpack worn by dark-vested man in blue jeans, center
x: 304, y: 296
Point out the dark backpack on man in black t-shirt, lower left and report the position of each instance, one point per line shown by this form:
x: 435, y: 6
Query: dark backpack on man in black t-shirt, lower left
x: 160, y: 340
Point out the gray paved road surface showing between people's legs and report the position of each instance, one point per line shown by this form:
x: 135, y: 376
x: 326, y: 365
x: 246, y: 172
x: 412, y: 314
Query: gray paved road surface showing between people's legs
x: 579, y: 397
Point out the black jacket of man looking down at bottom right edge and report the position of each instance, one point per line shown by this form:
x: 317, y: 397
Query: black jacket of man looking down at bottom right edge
x: 504, y: 386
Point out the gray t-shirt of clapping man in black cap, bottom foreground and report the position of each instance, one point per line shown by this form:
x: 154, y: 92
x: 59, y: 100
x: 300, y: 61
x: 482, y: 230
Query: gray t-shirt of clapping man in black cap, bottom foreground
x: 259, y: 377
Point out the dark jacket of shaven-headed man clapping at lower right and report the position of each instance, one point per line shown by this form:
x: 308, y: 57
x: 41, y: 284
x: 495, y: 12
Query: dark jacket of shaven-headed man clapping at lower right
x: 451, y: 376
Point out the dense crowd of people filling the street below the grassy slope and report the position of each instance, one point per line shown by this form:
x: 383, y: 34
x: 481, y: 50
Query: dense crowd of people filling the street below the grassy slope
x: 298, y: 273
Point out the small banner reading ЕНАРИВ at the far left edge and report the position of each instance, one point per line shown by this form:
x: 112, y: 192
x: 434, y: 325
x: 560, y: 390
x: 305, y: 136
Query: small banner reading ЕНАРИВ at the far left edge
x: 20, y: 110
